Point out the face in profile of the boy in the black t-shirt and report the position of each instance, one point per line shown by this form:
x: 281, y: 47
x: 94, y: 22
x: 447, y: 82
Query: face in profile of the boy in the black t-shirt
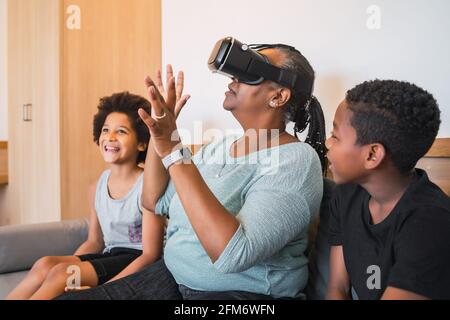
x: 346, y: 157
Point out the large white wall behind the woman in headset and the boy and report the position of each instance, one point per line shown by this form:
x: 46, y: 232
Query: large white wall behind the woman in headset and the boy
x: 412, y: 44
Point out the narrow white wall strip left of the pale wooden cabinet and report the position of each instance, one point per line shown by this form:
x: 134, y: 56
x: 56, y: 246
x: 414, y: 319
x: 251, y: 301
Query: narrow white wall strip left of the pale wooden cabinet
x: 3, y: 89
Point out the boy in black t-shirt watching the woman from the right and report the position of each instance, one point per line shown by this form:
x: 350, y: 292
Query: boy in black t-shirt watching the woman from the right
x: 389, y: 225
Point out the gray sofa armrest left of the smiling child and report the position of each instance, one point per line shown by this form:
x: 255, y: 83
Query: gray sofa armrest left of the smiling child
x: 22, y: 245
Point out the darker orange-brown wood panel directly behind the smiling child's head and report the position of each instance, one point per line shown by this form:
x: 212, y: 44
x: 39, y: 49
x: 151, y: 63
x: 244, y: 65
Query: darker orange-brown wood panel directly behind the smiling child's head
x: 119, y: 43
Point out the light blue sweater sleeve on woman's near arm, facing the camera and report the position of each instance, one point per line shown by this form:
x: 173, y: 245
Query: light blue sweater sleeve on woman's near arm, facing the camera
x: 277, y: 209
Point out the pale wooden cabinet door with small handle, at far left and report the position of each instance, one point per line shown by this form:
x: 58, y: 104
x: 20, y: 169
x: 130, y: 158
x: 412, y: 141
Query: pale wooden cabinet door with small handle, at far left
x: 32, y: 193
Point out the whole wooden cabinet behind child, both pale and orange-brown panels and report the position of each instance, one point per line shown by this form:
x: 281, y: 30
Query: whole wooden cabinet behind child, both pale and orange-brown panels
x: 63, y: 56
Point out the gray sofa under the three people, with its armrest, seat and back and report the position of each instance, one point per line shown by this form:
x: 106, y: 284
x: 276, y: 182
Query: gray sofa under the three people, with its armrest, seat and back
x: 22, y: 245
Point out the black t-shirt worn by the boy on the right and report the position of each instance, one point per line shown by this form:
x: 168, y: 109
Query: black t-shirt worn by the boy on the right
x: 409, y: 249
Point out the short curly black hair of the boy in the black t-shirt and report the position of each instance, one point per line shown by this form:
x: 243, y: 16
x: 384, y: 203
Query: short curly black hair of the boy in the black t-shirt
x: 401, y: 116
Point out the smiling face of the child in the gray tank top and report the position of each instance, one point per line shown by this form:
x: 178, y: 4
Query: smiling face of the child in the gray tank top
x: 118, y: 140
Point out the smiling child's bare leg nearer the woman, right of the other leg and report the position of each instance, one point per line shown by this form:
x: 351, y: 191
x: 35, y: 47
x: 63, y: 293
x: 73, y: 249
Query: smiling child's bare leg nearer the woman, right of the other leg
x: 56, y: 280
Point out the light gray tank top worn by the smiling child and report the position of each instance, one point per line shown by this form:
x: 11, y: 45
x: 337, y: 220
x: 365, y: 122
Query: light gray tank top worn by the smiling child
x: 120, y: 219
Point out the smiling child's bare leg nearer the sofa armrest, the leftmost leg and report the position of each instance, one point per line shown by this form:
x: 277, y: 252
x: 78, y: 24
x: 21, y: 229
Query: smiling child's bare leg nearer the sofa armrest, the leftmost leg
x: 34, y: 279
